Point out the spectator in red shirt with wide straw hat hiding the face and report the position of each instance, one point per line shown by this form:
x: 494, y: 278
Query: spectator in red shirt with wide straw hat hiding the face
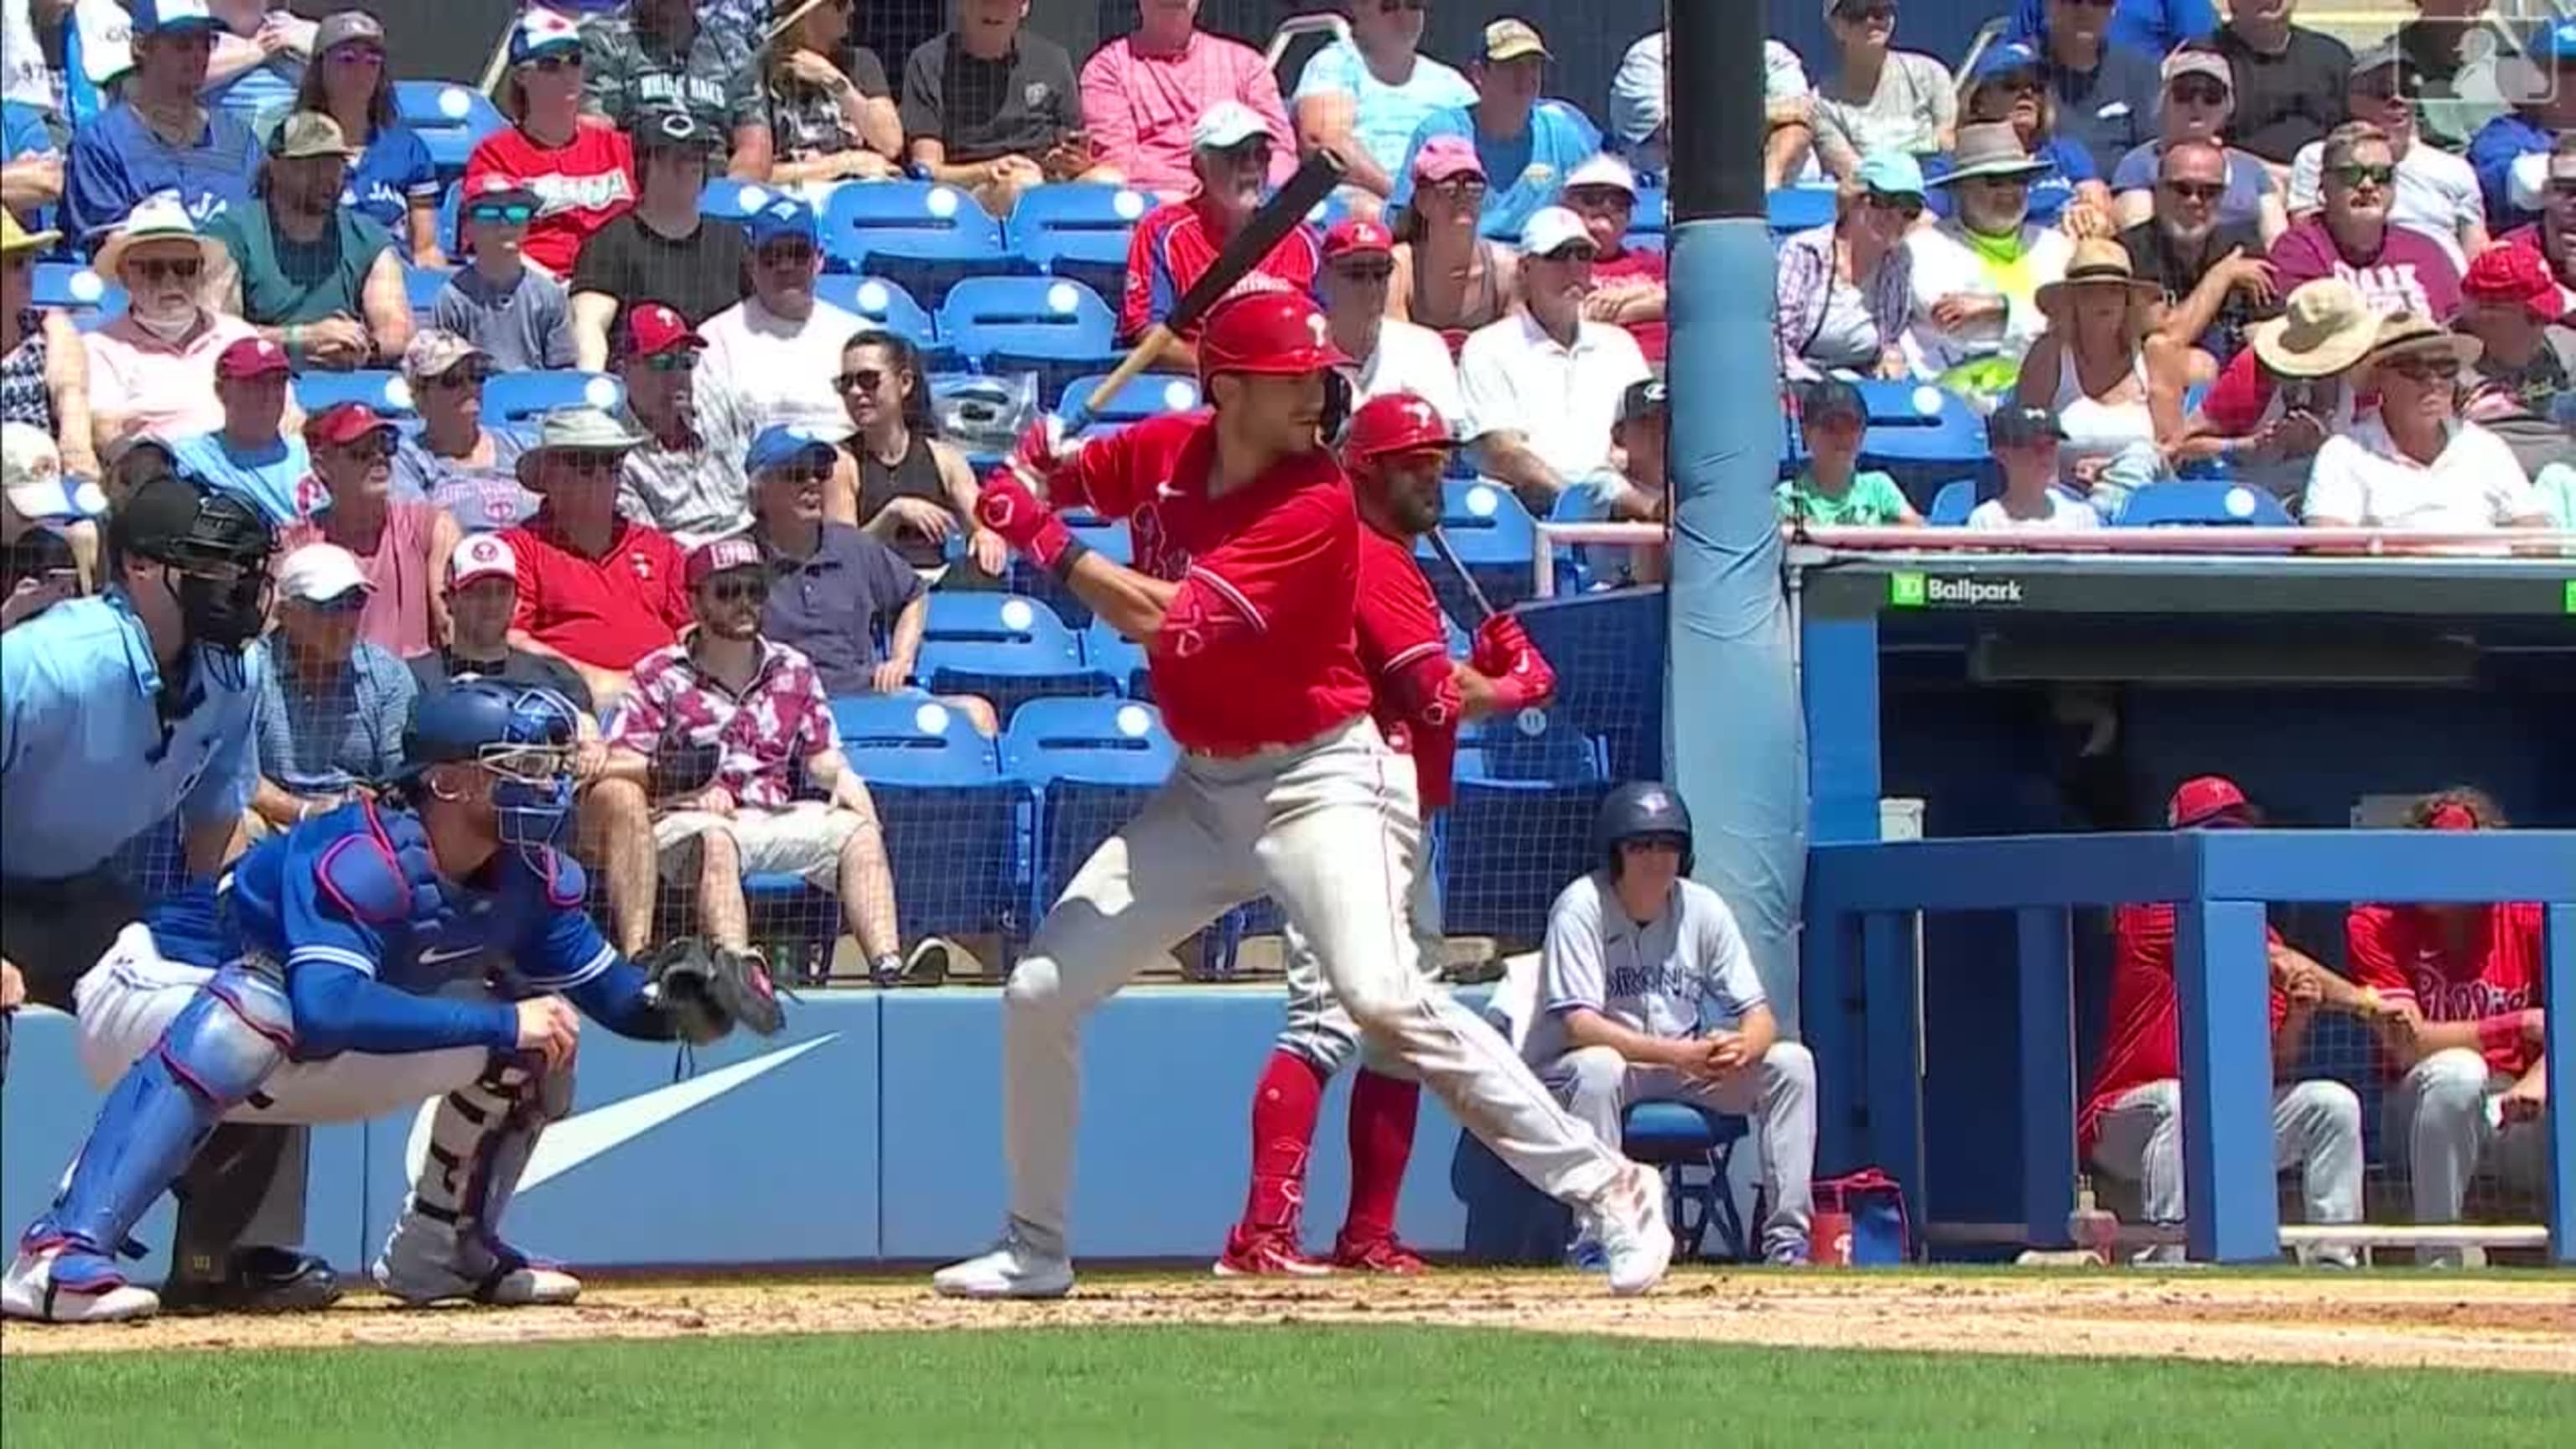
x: 2281, y: 398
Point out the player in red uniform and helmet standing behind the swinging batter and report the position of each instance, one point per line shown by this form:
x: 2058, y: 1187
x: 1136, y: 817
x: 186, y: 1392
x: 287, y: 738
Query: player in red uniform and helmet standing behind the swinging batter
x: 1418, y: 695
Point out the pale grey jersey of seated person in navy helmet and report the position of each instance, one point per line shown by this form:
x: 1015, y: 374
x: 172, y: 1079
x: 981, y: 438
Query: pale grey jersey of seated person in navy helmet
x: 1658, y: 976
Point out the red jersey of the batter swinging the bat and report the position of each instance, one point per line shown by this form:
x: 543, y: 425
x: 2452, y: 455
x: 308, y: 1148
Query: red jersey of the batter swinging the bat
x: 1258, y: 646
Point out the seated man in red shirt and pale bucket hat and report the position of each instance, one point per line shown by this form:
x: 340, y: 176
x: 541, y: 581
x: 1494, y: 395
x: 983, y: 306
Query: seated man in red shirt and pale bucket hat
x: 594, y: 589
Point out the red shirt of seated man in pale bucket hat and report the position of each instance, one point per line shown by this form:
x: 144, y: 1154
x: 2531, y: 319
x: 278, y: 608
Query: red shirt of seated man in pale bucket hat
x: 604, y: 612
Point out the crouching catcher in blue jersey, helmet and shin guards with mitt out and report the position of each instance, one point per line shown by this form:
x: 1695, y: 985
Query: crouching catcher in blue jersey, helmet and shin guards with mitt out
x: 421, y: 945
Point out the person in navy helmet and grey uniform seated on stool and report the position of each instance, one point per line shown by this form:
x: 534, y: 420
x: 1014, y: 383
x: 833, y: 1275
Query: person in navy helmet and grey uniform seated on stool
x: 1634, y: 958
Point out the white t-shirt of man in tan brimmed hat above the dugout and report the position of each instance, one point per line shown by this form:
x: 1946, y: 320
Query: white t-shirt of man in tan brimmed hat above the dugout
x: 2474, y: 483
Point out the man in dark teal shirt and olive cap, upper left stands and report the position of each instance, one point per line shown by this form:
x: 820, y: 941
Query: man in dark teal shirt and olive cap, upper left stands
x: 310, y: 275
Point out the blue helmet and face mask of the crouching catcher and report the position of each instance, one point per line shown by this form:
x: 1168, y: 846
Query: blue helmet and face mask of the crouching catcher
x: 524, y: 736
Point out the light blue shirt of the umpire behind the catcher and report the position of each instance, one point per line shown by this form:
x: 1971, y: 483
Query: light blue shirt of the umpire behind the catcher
x: 84, y: 759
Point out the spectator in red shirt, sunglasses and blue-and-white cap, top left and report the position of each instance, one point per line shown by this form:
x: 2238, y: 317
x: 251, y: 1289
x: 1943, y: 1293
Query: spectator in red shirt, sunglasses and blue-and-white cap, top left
x: 581, y: 169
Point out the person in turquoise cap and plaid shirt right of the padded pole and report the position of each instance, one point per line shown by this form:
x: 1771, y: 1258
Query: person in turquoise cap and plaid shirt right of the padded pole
x: 1846, y: 290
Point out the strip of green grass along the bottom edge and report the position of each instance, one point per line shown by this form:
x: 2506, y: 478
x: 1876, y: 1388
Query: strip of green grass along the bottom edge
x: 1235, y: 1388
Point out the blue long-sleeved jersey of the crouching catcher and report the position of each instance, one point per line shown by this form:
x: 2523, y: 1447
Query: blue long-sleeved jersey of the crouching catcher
x: 359, y: 888
